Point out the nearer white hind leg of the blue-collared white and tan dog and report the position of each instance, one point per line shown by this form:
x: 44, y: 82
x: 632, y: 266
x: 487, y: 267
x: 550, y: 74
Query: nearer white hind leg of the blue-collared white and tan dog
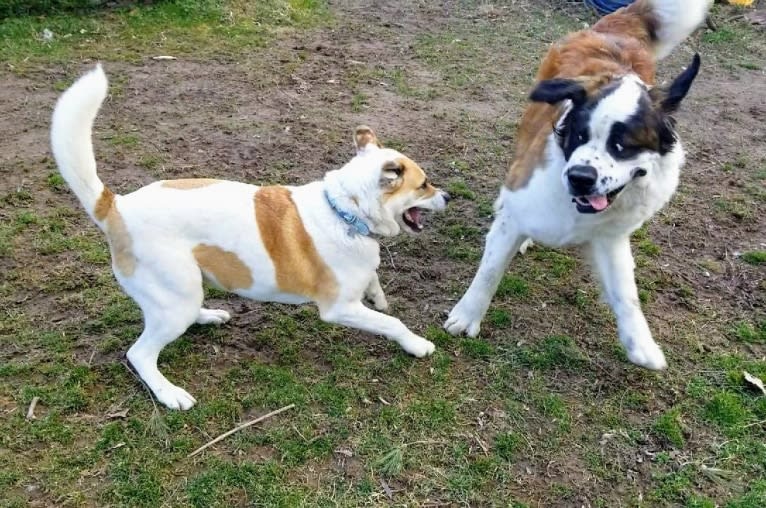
x: 170, y: 297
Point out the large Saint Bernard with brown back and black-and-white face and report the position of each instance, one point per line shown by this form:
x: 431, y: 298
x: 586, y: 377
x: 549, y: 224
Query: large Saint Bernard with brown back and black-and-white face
x: 596, y: 156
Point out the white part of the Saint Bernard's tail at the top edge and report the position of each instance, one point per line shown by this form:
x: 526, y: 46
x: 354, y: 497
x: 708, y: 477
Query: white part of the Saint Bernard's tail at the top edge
x: 676, y: 20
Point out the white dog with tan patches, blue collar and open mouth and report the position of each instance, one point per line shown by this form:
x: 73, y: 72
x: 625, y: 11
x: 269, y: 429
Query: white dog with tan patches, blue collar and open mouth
x: 280, y: 244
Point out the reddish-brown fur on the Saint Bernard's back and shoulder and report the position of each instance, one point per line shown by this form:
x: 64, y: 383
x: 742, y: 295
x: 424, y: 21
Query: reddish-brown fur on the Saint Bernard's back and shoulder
x: 618, y: 44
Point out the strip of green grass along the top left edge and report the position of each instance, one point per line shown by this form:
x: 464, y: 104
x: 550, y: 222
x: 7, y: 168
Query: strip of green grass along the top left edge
x: 170, y: 27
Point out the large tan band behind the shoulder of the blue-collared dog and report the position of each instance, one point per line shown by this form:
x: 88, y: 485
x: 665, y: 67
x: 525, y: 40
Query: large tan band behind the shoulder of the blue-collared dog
x: 299, y: 268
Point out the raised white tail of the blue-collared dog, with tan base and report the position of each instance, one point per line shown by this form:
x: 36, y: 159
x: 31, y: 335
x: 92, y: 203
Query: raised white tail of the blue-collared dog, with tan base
x: 72, y: 146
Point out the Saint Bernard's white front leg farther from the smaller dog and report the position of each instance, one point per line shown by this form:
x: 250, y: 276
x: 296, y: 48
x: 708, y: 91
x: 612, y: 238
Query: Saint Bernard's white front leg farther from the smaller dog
x: 613, y: 261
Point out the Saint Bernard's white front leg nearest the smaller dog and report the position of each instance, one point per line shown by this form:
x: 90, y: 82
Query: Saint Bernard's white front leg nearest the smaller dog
x: 503, y: 241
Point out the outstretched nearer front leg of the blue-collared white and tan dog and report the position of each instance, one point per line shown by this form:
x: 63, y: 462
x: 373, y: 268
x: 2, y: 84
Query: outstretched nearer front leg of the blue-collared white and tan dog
x: 356, y: 315
